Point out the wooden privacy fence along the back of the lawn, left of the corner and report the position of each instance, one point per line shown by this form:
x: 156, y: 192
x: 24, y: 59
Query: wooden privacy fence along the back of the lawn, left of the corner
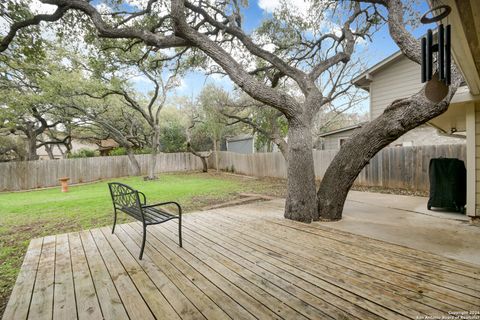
x: 45, y: 173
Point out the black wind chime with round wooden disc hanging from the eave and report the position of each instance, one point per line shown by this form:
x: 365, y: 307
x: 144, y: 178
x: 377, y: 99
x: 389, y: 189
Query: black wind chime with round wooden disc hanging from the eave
x: 438, y: 82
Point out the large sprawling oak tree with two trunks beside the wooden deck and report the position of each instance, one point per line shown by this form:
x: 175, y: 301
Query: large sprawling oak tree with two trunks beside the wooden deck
x: 305, y: 52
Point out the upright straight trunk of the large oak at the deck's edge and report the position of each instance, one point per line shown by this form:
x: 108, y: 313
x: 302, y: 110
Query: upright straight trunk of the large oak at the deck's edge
x: 301, y: 203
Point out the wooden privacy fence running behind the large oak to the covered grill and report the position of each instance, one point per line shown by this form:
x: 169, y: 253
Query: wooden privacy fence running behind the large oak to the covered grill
x: 396, y: 167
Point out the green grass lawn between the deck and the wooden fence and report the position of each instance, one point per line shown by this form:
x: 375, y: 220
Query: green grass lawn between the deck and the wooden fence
x: 33, y: 214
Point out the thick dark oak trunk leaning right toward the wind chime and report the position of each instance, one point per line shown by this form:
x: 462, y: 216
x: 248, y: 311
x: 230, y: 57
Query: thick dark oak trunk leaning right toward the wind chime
x: 400, y: 117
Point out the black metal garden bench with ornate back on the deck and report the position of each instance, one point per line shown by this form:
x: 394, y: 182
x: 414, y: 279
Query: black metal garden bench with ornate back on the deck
x: 127, y: 200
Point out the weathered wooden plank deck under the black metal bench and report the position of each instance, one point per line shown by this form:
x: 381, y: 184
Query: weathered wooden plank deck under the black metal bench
x: 243, y: 262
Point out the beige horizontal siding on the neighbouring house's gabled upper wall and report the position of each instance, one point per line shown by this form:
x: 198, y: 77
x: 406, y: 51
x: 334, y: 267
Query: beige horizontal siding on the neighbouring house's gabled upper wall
x: 401, y: 79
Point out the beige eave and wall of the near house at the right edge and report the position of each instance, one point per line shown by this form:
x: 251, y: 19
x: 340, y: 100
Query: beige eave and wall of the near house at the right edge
x: 464, y: 111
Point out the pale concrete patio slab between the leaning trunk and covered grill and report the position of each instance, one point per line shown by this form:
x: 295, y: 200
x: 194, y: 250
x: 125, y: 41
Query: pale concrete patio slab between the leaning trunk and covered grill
x: 405, y: 220
